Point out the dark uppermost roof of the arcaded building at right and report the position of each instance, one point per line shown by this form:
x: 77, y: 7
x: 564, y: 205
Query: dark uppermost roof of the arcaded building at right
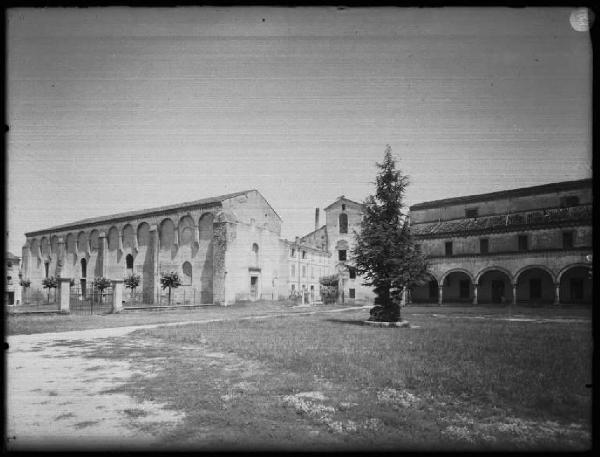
x: 519, y: 192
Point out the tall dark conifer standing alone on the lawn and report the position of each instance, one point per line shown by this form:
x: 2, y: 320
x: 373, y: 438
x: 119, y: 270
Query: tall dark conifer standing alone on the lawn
x: 384, y: 251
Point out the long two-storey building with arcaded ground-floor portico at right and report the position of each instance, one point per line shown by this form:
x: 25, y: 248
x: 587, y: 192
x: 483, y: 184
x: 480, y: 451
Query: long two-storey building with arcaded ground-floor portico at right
x: 531, y: 245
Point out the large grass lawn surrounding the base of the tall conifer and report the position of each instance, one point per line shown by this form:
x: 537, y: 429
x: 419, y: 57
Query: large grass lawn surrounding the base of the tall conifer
x: 328, y: 382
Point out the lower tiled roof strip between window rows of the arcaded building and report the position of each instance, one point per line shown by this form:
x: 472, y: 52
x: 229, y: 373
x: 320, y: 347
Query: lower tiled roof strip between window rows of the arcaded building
x: 575, y: 214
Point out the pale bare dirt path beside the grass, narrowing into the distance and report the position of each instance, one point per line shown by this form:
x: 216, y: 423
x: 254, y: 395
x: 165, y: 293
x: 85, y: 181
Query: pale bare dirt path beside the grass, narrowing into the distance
x: 57, y: 398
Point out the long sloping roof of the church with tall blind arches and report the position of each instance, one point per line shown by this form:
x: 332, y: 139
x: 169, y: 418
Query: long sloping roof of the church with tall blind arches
x: 143, y: 212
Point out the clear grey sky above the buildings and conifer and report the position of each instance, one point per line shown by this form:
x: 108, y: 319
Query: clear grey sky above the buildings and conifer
x: 117, y: 109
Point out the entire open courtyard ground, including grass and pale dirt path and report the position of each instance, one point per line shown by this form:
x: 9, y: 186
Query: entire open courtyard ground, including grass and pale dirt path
x: 296, y: 378
